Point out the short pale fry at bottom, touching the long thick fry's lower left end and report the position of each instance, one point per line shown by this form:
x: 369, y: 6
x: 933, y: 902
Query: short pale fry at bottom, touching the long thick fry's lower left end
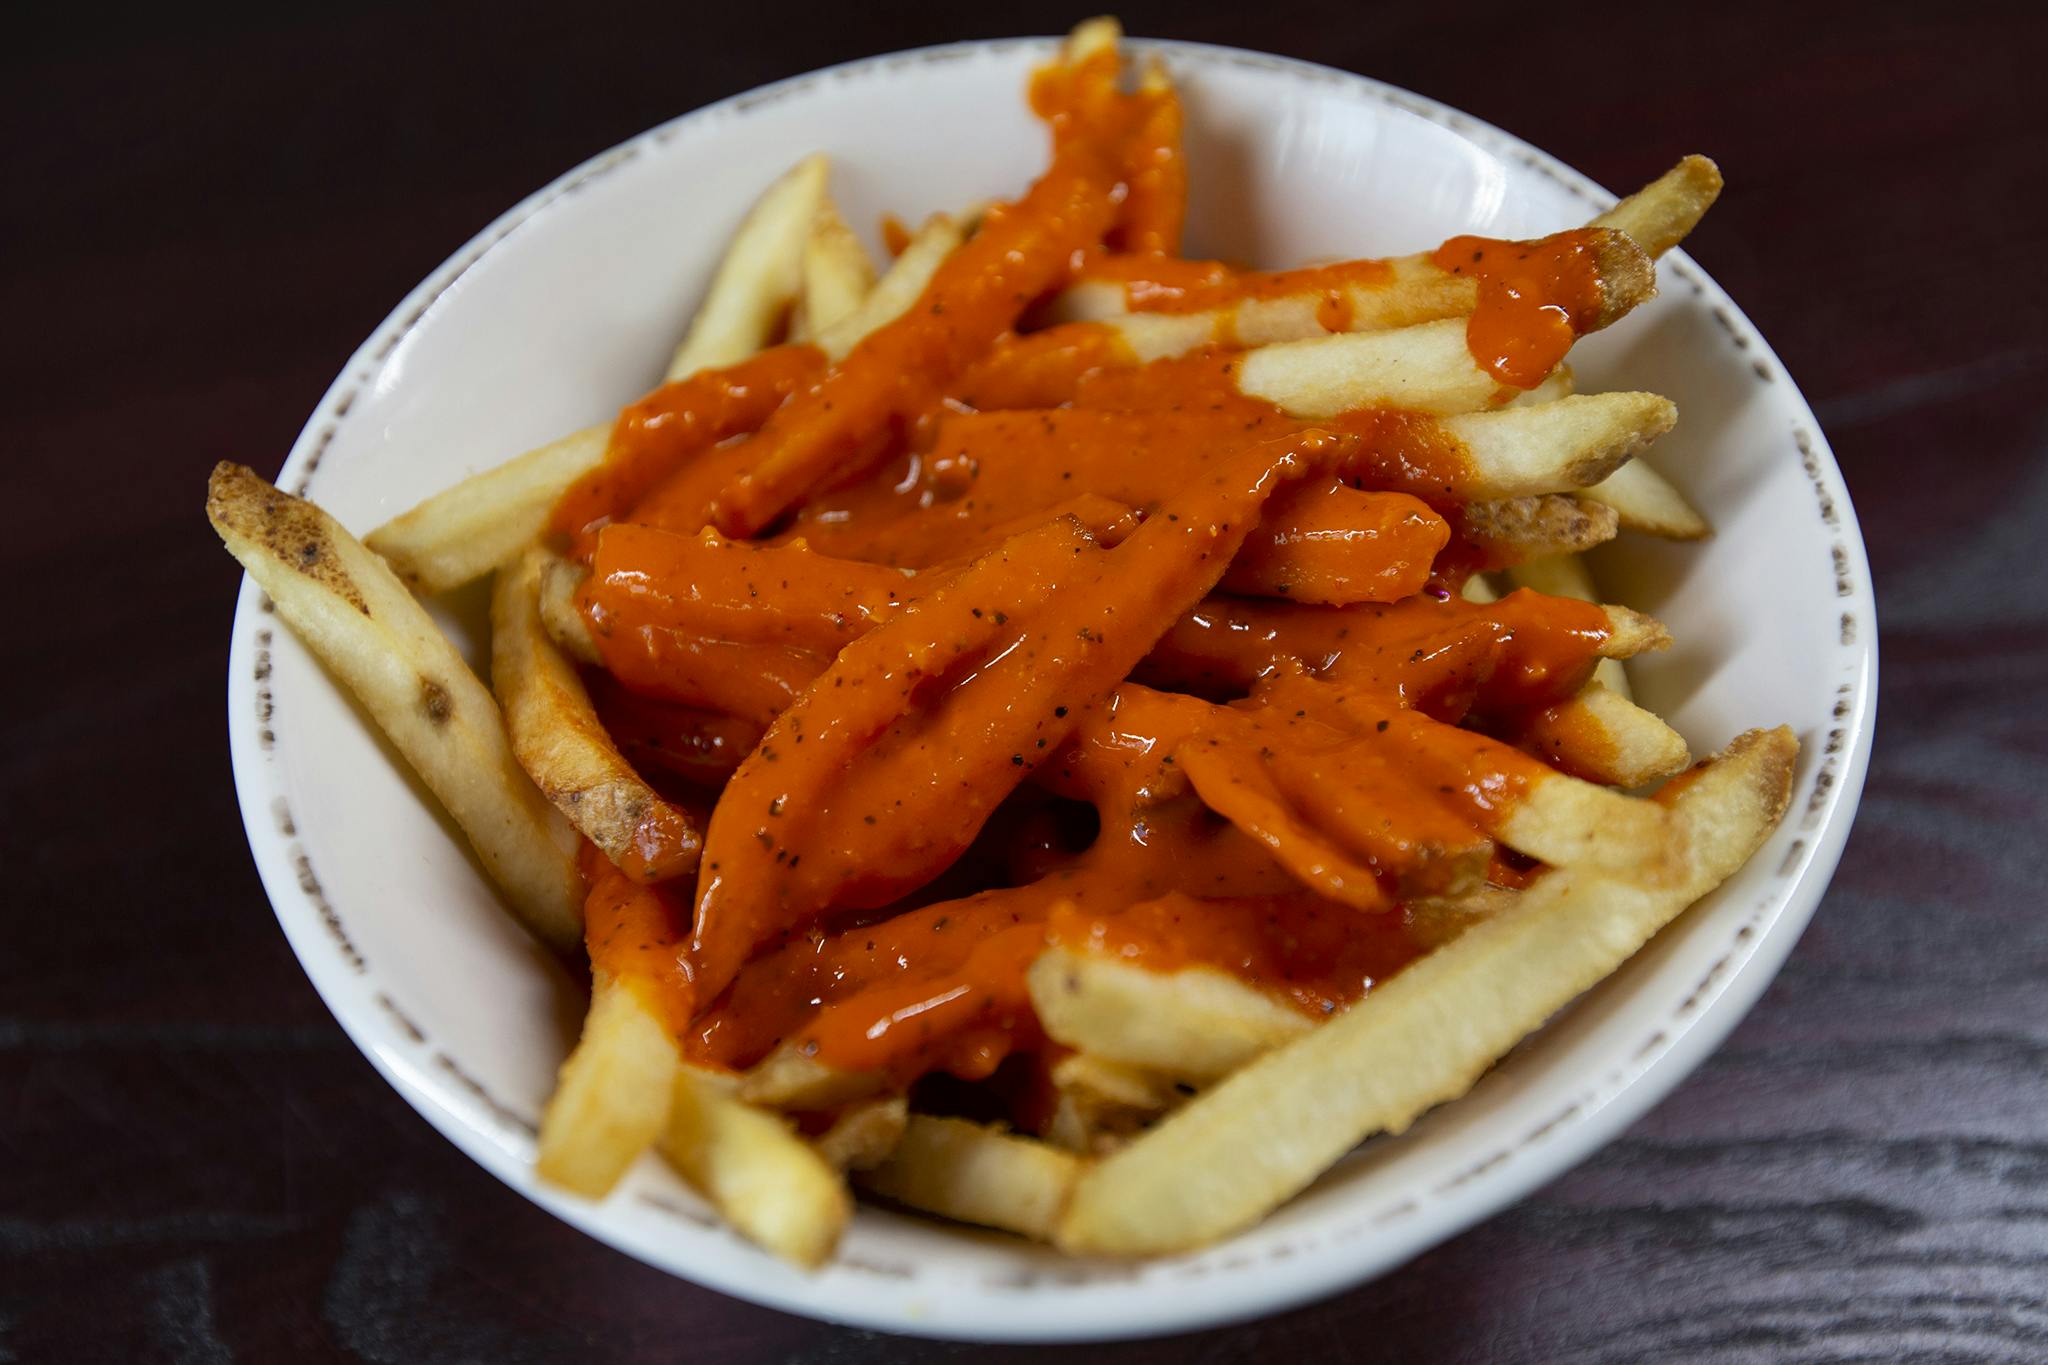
x: 976, y: 1176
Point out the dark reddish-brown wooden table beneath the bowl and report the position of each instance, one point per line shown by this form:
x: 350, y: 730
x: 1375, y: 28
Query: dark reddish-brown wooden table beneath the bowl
x: 206, y: 212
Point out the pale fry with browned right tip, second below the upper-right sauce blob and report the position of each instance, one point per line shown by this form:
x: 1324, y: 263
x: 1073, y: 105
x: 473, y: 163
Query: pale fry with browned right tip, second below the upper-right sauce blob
x: 1558, y: 447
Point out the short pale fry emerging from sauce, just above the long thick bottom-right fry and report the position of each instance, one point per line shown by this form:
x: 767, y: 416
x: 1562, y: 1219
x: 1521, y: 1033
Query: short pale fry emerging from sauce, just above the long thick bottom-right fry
x: 1193, y: 1026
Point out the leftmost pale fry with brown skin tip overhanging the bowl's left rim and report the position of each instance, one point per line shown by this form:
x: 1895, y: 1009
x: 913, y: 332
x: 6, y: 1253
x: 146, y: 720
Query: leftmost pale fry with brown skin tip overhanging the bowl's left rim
x: 357, y: 617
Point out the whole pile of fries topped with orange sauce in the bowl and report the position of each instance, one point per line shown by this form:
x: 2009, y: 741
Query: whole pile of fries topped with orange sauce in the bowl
x: 833, y: 640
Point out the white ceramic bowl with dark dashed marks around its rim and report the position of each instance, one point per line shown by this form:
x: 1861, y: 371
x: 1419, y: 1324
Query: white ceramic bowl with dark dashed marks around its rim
x: 566, y: 308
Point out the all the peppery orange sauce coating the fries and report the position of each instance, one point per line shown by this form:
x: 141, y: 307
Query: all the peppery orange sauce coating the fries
x: 949, y: 631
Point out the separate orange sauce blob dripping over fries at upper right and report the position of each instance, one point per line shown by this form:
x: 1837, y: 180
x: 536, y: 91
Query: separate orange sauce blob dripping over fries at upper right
x: 1535, y: 300
